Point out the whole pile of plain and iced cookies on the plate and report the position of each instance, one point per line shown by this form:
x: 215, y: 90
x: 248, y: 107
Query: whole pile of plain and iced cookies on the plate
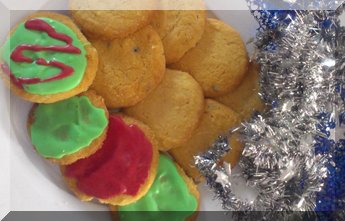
x: 125, y: 99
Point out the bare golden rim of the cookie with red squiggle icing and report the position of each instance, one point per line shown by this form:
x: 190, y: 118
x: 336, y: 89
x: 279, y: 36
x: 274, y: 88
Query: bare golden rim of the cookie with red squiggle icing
x: 89, y: 74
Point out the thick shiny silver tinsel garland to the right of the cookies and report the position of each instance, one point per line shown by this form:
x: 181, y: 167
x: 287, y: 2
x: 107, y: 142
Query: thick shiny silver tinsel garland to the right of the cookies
x: 301, y: 63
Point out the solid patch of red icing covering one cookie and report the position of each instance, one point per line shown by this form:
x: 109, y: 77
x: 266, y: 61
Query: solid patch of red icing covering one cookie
x: 121, y: 166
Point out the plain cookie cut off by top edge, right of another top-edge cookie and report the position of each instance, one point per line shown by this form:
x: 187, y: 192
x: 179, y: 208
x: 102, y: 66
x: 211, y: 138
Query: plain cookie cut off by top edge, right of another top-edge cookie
x: 180, y: 31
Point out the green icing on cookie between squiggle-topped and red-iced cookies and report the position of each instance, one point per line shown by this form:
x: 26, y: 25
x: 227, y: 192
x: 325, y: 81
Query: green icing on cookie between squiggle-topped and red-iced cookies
x: 65, y: 127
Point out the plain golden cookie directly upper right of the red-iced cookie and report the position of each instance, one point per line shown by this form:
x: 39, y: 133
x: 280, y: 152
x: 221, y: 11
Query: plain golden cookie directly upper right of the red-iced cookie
x: 173, y: 110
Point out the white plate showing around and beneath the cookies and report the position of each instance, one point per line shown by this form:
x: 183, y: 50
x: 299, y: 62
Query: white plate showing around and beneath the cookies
x: 35, y: 184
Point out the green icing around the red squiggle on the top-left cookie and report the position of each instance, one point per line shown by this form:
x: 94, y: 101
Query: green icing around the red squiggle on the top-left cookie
x: 30, y: 70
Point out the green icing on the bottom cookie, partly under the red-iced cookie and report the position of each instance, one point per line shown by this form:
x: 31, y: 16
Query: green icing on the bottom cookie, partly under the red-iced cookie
x: 169, y: 192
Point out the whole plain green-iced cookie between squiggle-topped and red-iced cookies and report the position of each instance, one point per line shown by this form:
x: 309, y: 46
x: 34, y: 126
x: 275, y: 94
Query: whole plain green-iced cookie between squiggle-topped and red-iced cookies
x: 69, y: 130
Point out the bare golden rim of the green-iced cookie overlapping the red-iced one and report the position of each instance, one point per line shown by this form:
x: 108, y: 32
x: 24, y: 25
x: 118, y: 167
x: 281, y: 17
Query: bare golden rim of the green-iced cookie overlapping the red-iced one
x: 96, y: 144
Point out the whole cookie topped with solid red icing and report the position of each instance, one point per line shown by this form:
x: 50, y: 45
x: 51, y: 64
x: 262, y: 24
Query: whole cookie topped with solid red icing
x: 120, y: 172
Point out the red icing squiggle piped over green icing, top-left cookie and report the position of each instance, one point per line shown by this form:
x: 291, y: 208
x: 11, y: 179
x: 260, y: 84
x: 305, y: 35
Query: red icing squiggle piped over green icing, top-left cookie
x: 18, y: 56
